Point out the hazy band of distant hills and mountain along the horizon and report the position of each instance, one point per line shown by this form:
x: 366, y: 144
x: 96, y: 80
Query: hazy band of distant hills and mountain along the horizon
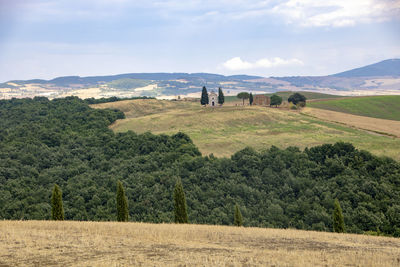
x: 379, y: 78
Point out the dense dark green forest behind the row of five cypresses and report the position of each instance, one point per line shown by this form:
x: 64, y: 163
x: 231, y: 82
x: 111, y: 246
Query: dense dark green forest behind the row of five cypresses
x: 65, y: 142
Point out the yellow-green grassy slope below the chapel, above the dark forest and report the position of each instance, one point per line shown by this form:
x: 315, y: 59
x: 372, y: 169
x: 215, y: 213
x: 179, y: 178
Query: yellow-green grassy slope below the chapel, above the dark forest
x: 223, y: 131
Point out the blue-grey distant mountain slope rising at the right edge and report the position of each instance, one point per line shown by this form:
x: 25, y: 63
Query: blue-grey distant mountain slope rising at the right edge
x: 390, y: 67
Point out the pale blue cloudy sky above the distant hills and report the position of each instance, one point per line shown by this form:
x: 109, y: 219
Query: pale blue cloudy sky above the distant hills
x: 50, y: 38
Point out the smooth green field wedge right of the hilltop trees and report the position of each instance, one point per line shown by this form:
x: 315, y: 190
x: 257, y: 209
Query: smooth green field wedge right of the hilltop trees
x: 382, y: 107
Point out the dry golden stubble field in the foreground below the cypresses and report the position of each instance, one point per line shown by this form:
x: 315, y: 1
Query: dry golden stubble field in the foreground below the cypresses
x: 50, y: 243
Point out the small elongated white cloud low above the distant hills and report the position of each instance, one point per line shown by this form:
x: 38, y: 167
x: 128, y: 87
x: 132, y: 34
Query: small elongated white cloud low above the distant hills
x: 237, y: 63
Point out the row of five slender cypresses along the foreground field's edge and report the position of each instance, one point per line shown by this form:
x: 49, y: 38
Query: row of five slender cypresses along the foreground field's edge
x: 180, y: 208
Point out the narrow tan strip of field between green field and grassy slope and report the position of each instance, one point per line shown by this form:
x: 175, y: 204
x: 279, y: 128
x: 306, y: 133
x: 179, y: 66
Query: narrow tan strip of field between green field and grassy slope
x: 381, y: 126
